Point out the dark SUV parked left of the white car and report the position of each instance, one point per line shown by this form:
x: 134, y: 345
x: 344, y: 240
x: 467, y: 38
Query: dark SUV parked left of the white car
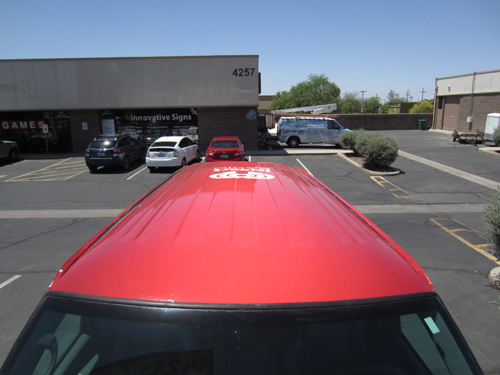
x: 116, y: 150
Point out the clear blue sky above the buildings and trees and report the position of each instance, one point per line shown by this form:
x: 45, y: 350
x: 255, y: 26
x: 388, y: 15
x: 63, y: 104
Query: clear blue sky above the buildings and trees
x: 361, y: 45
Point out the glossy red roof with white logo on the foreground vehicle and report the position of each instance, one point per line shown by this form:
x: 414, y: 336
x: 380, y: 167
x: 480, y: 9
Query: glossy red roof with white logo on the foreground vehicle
x: 241, y: 233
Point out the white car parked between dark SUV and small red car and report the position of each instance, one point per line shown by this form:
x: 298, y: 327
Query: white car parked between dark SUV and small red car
x: 174, y: 151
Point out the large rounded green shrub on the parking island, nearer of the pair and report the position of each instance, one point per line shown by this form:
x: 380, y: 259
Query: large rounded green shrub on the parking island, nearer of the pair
x: 378, y: 150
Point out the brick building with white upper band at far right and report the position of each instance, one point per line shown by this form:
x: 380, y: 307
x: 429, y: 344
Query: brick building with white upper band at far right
x: 463, y: 102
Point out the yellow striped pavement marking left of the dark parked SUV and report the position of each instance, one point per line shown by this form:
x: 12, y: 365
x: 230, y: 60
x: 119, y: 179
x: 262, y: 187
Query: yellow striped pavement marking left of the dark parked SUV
x: 61, y: 171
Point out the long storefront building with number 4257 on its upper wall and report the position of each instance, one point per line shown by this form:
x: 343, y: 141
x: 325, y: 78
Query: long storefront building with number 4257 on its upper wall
x: 67, y: 102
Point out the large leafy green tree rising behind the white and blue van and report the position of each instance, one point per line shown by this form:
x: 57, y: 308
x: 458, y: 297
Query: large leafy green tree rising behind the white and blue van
x: 314, y: 91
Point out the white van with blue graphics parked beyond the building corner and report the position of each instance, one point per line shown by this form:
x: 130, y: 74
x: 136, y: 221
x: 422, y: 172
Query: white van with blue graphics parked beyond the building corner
x: 308, y: 129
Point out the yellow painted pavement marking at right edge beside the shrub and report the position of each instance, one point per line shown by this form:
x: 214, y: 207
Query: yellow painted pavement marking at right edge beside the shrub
x: 474, y: 237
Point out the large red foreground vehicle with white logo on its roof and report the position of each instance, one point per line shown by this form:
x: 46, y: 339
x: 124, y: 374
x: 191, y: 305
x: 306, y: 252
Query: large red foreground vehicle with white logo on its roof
x: 241, y: 268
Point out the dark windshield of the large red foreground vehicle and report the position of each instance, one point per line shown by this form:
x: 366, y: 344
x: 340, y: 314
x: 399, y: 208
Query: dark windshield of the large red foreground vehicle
x: 404, y: 336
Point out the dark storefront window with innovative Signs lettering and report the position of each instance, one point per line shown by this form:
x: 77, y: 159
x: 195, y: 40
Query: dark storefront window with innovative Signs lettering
x: 148, y: 125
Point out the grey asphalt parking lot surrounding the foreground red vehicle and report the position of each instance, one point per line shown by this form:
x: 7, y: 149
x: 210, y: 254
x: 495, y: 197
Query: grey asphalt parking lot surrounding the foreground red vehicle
x: 440, y: 191
